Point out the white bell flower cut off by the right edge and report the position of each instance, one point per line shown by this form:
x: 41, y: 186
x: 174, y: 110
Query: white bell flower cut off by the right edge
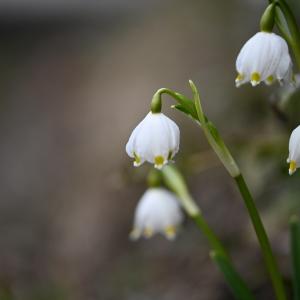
x: 294, y: 150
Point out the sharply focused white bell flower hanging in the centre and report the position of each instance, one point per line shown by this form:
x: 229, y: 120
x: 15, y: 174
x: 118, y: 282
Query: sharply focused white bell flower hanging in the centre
x: 155, y: 139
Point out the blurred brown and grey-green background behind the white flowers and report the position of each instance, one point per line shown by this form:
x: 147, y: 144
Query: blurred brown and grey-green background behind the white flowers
x: 76, y: 78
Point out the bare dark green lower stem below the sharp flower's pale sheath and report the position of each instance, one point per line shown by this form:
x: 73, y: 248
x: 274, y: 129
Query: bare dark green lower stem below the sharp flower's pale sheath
x: 263, y: 239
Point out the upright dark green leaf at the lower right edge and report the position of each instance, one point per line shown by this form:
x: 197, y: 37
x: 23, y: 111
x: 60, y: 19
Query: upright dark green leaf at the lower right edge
x: 295, y: 252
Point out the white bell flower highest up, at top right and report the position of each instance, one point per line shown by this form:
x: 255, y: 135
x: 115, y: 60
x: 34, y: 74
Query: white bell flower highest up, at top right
x: 264, y: 57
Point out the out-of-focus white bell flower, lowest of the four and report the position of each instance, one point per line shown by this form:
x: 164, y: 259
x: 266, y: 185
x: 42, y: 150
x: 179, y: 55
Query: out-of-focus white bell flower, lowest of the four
x: 158, y: 211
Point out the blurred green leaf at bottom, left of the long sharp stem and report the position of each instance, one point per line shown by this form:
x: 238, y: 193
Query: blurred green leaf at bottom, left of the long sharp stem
x: 235, y: 282
